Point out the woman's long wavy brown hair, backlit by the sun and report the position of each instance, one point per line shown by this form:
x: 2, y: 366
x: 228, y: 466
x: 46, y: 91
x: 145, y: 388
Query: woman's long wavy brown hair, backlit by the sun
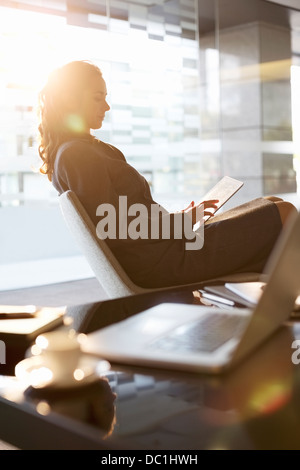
x: 56, y: 123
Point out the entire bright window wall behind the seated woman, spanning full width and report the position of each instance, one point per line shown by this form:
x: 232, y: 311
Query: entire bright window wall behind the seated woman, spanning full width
x: 197, y: 88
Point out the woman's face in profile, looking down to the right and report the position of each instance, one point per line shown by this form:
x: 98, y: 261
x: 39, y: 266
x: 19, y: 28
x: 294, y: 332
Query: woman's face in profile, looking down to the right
x: 93, y: 105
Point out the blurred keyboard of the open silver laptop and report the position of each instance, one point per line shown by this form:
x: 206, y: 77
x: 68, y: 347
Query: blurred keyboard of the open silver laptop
x: 205, y: 335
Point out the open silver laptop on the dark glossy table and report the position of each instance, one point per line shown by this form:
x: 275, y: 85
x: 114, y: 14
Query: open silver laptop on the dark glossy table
x: 196, y: 338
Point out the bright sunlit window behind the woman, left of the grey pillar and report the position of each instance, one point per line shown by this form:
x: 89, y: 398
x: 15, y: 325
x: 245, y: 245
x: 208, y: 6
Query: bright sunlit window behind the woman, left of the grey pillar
x: 149, y: 57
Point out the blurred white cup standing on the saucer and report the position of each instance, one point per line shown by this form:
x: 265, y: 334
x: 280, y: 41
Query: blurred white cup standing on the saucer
x: 60, y: 351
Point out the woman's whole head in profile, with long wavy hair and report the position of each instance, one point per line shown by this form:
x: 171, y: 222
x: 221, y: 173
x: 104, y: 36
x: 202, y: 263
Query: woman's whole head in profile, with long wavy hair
x: 72, y: 102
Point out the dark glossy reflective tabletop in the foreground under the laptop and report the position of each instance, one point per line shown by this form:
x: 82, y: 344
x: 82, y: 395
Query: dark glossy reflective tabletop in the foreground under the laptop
x: 255, y: 406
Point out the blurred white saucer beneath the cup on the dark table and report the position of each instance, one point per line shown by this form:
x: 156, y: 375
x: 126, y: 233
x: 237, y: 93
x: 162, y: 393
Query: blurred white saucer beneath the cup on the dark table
x: 36, y: 373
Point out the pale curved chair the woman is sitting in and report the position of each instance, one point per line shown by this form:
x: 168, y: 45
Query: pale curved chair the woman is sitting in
x: 105, y: 266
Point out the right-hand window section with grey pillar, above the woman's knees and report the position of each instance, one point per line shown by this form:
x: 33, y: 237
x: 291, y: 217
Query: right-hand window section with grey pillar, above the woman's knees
x: 247, y: 50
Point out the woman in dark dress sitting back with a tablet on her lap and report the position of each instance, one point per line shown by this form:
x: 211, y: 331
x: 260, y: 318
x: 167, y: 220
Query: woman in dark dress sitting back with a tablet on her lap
x: 72, y: 103
